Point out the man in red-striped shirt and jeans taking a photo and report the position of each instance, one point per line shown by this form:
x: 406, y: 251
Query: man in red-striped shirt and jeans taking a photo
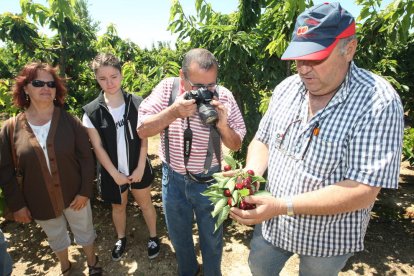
x: 194, y: 116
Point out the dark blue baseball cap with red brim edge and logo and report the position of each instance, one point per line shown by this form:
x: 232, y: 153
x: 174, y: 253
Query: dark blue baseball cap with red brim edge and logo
x: 318, y: 30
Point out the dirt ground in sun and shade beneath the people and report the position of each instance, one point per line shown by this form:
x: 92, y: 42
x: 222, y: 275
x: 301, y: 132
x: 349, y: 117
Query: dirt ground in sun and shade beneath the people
x: 389, y: 242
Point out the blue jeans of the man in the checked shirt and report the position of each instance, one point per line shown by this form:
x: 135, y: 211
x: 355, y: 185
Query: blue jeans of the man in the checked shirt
x: 267, y: 259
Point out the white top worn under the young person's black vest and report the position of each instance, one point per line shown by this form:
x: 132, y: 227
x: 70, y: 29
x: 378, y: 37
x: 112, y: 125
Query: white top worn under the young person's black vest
x: 118, y: 116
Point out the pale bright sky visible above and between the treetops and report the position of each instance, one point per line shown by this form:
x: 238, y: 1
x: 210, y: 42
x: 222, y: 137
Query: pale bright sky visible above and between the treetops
x: 145, y: 21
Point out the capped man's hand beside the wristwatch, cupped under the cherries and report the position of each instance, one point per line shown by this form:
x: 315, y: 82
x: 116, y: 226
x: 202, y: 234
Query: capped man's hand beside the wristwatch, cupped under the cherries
x: 267, y: 207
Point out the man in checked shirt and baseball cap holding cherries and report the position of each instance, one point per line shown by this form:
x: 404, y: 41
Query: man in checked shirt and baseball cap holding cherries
x: 330, y: 140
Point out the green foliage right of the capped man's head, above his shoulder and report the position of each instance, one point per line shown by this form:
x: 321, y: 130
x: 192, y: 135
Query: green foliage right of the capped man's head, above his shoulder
x: 386, y: 45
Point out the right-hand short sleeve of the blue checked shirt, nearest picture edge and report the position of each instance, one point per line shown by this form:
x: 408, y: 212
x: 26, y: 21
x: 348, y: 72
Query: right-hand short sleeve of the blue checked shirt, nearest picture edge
x: 374, y: 154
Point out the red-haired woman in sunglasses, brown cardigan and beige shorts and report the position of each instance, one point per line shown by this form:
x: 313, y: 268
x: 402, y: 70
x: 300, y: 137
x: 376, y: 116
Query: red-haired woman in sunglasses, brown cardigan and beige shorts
x: 49, y: 148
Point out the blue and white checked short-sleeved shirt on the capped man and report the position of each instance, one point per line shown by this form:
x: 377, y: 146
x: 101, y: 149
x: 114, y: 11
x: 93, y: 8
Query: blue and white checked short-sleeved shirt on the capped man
x: 360, y: 139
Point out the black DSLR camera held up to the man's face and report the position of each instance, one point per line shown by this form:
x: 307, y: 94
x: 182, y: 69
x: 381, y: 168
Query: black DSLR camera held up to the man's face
x: 203, y: 97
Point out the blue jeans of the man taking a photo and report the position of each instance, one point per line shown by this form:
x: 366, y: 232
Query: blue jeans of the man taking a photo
x: 182, y: 200
